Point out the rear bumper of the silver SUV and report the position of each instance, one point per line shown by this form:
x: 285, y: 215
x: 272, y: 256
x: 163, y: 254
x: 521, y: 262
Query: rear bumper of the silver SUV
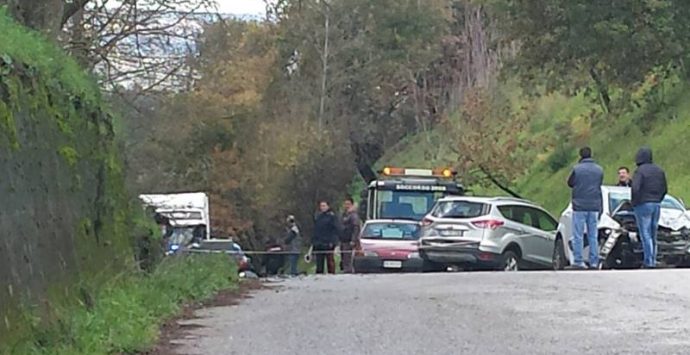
x: 459, y: 255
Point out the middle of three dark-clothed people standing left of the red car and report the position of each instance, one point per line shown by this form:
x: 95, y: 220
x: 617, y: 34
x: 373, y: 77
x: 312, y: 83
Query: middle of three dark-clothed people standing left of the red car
x: 326, y: 233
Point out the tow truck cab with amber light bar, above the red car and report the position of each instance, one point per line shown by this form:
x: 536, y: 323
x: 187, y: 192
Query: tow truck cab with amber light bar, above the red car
x: 408, y: 194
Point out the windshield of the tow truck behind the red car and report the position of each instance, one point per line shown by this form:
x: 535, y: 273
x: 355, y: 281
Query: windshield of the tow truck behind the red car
x: 412, y: 205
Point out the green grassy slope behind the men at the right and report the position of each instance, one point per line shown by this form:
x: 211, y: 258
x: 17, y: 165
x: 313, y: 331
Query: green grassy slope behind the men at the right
x: 661, y: 120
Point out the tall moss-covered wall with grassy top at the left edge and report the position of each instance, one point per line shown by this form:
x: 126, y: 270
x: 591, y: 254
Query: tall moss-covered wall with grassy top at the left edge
x: 65, y: 216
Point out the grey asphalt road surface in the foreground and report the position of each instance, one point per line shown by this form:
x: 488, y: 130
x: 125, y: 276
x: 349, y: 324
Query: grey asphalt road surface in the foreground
x: 586, y: 312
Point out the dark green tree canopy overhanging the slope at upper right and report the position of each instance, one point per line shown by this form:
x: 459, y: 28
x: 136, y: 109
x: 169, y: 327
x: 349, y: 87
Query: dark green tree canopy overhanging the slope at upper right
x: 568, y: 42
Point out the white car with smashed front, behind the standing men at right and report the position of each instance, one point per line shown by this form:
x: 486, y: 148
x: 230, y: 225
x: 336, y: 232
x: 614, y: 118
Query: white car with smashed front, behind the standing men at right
x: 619, y: 242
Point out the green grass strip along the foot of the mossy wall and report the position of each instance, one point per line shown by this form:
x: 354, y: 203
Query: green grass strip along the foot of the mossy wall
x: 125, y: 314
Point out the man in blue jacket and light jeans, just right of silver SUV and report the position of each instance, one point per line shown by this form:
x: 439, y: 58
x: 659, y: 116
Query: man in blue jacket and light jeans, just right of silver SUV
x: 585, y: 181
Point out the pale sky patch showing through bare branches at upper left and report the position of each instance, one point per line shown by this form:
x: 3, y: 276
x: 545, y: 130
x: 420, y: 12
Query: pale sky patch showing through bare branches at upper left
x: 147, y: 44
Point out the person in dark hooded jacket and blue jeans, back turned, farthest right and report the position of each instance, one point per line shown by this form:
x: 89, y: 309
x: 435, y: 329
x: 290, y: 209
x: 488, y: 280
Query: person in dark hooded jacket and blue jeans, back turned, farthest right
x: 648, y: 190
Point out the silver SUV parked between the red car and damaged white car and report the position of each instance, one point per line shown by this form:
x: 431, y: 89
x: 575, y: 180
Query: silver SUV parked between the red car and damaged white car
x: 487, y: 233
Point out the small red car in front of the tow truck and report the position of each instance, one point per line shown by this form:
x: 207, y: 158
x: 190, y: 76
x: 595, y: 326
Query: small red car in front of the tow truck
x: 388, y: 246
